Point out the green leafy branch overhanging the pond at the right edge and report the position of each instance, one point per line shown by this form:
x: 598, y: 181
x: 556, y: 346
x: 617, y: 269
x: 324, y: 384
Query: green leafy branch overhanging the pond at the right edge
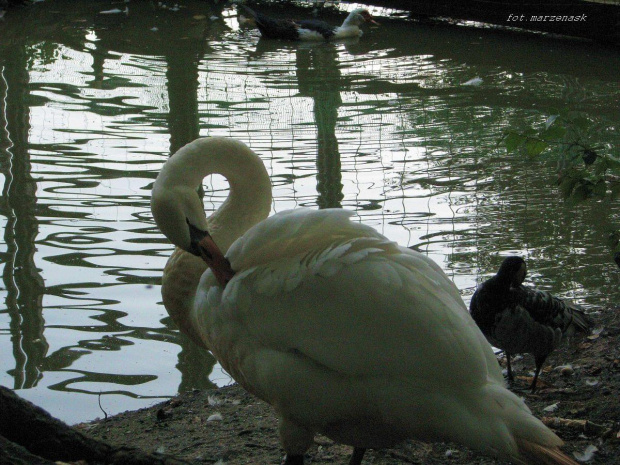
x: 586, y: 168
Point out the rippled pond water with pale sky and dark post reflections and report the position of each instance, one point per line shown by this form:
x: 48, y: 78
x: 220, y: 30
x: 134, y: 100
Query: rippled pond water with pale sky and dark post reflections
x: 93, y: 102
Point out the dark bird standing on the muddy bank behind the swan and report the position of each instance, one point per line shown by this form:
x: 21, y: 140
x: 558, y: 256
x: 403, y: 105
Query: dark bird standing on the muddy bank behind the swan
x: 519, y: 319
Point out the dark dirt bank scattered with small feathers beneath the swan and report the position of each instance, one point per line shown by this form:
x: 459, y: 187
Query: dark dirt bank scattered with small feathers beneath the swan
x: 581, y: 382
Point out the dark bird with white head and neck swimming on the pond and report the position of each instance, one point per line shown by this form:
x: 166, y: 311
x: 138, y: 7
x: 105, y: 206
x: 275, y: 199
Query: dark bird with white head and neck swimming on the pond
x: 309, y: 29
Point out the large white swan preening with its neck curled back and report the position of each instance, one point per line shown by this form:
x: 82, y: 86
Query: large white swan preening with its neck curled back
x: 342, y: 331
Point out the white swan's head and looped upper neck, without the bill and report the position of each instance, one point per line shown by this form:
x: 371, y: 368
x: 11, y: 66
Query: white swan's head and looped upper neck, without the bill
x: 175, y: 200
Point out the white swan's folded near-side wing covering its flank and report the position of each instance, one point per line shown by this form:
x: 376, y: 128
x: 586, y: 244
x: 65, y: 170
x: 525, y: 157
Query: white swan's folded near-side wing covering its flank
x: 360, y: 306
